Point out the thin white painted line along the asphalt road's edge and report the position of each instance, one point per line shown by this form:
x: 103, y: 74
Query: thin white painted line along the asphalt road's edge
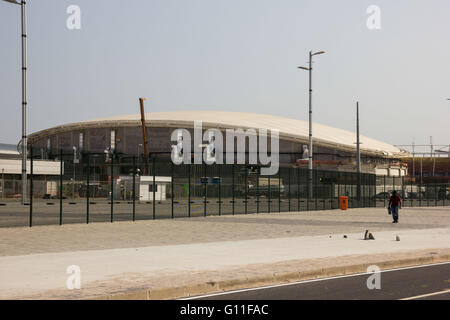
x: 312, y: 280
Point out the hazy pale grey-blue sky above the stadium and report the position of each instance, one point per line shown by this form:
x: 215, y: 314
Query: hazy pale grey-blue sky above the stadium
x: 232, y: 55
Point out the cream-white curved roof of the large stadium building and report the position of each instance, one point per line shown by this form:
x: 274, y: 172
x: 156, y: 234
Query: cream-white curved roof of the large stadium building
x: 291, y: 129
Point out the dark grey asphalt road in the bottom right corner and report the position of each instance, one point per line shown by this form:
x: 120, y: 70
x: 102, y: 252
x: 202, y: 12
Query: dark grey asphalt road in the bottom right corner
x: 431, y: 282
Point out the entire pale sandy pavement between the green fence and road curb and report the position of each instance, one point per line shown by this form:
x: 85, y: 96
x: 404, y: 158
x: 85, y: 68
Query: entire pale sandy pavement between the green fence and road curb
x: 164, y: 253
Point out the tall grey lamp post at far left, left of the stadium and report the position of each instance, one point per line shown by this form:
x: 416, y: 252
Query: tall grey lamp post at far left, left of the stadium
x: 24, y: 97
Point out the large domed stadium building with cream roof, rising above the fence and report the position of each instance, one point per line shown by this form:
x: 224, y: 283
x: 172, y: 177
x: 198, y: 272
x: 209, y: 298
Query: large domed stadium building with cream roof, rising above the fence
x: 332, y: 147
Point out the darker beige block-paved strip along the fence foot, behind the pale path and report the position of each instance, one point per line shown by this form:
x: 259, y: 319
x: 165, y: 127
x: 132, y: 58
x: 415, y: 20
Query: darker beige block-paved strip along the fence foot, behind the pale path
x: 99, y: 236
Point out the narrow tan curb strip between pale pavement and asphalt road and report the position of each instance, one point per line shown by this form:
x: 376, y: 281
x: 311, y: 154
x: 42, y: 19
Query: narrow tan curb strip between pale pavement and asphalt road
x: 270, y: 279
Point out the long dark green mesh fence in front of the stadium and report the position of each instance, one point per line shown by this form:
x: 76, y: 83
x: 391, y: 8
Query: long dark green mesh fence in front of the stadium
x: 107, y: 188
